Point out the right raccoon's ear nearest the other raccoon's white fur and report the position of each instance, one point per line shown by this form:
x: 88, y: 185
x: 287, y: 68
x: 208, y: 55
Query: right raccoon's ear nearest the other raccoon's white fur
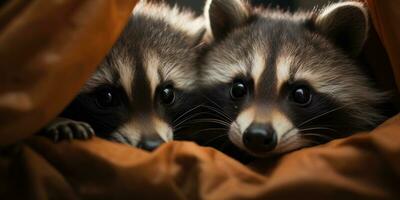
x: 225, y: 15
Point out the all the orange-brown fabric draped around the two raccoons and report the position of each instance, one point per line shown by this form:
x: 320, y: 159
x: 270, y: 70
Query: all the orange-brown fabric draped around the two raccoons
x: 47, y: 50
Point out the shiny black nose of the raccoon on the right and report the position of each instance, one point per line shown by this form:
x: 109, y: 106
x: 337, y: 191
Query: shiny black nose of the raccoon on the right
x: 260, y: 138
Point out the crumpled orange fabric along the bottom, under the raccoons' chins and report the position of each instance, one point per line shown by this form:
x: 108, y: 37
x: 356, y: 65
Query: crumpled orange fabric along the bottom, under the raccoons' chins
x: 365, y: 166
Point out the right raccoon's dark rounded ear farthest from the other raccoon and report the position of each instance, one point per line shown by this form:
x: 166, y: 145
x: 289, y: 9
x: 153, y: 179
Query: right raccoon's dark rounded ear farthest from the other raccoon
x: 346, y: 24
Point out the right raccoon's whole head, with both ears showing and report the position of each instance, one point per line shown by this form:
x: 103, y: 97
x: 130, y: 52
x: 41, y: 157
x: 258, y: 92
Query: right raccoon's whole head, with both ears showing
x: 287, y: 81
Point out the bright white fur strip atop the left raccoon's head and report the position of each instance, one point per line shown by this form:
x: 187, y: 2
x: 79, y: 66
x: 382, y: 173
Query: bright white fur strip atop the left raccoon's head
x: 181, y: 19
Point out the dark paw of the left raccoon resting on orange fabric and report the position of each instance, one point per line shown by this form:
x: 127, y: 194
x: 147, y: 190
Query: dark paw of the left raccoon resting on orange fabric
x: 66, y: 129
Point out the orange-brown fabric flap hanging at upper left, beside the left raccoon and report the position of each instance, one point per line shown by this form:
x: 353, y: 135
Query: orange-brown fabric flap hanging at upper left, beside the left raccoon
x: 48, y: 49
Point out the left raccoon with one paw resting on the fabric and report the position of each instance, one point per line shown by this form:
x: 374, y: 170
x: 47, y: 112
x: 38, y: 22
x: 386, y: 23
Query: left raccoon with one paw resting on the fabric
x: 143, y: 82
